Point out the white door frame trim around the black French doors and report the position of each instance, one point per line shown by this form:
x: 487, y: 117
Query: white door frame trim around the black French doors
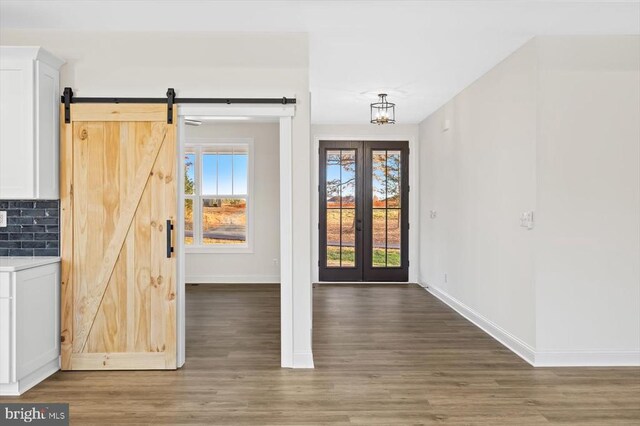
x: 414, y: 180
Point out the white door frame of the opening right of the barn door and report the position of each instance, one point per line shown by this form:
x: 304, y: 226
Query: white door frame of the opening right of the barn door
x: 285, y: 114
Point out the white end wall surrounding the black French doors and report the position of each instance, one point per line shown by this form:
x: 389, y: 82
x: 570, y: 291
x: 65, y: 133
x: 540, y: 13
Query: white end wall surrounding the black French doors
x: 357, y: 132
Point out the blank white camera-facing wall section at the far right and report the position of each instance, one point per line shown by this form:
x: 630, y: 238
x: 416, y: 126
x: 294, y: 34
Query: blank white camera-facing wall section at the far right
x: 588, y: 221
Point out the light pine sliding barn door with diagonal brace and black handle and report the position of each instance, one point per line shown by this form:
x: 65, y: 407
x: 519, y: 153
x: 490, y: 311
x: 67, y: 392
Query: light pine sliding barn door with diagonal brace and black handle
x: 118, y: 202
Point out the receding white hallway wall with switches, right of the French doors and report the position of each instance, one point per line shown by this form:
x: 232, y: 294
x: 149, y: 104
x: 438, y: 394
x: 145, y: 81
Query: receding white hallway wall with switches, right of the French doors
x: 478, y: 177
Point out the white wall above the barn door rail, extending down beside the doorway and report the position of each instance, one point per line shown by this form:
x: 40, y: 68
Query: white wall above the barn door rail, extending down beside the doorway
x: 203, y: 64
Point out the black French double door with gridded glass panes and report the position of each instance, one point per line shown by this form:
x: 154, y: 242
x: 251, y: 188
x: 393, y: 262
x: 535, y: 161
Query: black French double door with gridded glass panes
x: 364, y: 215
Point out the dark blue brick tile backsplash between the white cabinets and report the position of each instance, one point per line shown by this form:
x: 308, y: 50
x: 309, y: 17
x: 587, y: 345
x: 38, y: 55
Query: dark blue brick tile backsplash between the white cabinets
x: 32, y: 228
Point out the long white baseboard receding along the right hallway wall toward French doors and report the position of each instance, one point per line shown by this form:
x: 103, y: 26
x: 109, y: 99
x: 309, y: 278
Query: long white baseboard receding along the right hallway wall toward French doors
x: 514, y: 344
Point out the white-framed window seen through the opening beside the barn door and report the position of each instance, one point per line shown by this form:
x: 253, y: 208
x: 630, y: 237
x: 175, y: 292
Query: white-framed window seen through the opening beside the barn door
x: 217, y: 188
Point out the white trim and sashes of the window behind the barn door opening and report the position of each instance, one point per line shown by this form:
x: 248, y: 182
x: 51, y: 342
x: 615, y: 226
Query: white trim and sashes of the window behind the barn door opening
x: 200, y: 145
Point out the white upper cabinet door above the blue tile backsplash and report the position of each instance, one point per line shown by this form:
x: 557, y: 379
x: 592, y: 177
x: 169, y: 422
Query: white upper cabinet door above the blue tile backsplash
x: 16, y: 132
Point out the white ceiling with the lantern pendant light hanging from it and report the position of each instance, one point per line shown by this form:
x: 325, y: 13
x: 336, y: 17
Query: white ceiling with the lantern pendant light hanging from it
x: 419, y: 52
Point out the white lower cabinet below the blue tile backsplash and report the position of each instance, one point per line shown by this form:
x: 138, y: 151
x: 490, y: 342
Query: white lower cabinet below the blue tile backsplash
x: 29, y: 325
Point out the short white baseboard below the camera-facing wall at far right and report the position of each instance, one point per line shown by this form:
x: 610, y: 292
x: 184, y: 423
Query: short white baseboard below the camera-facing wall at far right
x: 588, y: 359
